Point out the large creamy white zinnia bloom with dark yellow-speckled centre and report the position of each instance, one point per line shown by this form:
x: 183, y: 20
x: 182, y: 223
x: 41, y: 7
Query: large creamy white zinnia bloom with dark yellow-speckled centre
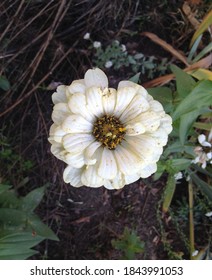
x: 105, y: 136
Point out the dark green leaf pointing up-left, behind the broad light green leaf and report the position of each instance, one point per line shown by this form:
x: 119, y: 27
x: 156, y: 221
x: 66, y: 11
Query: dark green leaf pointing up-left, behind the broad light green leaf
x: 185, y: 83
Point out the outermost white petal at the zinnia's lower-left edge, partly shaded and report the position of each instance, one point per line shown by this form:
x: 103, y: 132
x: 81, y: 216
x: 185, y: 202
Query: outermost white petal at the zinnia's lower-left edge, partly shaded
x: 73, y: 176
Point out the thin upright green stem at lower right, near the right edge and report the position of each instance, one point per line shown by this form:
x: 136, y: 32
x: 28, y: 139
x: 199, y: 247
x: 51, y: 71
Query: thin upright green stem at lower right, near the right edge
x: 191, y: 218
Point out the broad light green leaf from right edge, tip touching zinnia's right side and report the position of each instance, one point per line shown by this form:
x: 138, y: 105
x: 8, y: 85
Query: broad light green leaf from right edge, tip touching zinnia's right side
x: 201, y: 96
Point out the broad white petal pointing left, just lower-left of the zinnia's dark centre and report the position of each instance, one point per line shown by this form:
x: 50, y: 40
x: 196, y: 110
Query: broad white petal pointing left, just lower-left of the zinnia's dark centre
x: 76, y: 143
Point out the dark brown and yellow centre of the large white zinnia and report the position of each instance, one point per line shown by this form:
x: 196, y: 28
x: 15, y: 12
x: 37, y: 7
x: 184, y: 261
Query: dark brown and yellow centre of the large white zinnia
x: 109, y: 131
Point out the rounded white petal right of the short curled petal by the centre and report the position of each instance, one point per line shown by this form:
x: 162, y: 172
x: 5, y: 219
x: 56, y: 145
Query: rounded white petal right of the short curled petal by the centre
x: 150, y: 120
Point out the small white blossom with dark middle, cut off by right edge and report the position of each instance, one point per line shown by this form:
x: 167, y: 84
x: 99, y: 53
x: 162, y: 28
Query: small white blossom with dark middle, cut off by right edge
x: 203, y: 152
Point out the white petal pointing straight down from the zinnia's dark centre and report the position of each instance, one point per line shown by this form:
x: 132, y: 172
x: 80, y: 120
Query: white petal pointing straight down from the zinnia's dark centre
x: 107, y: 167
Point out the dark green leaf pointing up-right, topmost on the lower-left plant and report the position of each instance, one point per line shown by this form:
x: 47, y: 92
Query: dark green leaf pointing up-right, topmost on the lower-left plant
x: 33, y: 199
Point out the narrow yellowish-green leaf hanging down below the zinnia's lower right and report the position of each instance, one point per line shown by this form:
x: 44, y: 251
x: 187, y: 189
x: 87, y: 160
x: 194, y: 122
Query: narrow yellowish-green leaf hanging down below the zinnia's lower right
x: 169, y: 193
